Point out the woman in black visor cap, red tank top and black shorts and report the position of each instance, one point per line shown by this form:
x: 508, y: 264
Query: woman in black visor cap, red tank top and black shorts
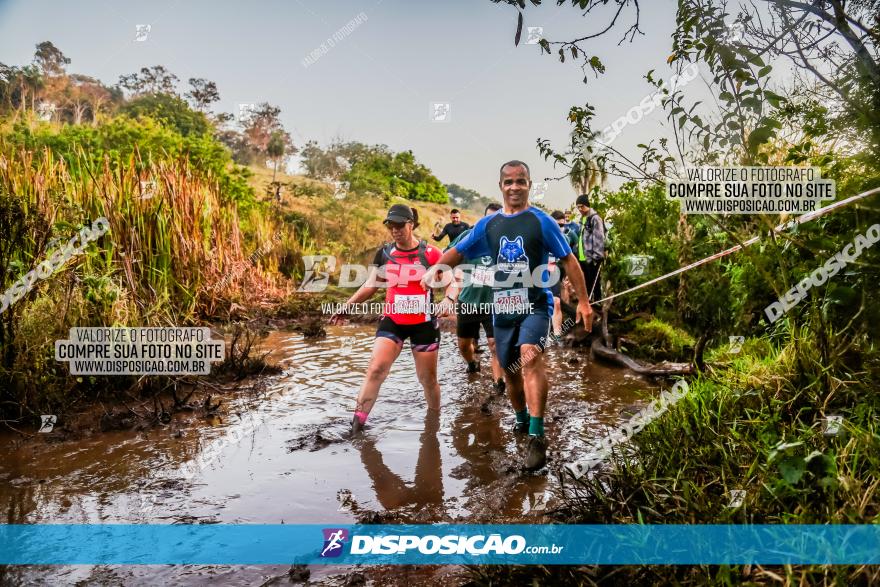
x: 399, y: 266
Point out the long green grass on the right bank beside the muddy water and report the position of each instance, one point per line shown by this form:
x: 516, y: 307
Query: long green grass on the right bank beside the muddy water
x: 753, y: 423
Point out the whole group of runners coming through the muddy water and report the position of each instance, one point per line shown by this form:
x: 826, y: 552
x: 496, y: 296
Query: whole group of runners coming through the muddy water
x: 501, y: 253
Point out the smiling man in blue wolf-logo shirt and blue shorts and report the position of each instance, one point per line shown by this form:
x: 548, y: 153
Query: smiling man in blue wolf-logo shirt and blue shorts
x: 520, y: 241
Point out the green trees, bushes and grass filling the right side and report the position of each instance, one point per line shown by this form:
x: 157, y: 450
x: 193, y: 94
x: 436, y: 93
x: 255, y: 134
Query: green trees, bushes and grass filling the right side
x: 754, y: 418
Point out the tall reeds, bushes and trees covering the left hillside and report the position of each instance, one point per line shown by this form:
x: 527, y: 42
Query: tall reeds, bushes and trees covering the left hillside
x: 197, y: 234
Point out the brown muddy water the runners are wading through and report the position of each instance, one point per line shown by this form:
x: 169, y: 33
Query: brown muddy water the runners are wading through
x: 284, y: 457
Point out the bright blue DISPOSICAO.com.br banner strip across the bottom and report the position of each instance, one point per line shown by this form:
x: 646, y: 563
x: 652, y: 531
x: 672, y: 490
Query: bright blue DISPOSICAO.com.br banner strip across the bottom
x: 65, y: 544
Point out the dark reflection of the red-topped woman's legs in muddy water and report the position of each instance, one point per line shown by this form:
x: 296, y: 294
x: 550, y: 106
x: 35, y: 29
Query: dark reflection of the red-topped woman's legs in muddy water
x: 391, y: 491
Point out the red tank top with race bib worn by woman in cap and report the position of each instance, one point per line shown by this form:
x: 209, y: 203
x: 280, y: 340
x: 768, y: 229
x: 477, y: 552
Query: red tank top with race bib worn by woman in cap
x: 406, y: 301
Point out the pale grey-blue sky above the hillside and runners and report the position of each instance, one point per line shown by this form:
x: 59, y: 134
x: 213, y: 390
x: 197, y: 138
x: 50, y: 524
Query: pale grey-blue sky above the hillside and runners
x: 378, y: 82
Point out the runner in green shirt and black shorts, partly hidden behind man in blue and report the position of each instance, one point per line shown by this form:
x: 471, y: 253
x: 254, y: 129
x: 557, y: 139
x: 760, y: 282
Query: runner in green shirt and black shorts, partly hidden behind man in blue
x: 470, y: 299
